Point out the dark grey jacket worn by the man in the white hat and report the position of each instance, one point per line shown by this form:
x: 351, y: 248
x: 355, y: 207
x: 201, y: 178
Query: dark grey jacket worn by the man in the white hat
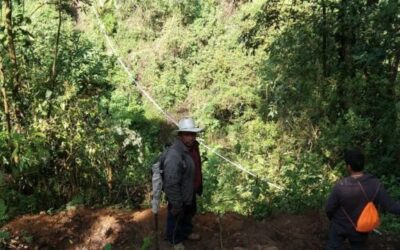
x: 179, y: 170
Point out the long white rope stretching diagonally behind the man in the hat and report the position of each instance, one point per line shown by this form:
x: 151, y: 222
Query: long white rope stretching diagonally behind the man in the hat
x: 170, y: 118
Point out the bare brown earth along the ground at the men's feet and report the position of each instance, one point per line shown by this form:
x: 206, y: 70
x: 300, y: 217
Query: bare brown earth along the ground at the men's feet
x: 84, y: 228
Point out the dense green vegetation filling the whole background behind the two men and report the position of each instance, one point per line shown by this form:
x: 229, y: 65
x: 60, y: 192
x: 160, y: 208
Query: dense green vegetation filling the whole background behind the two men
x: 280, y: 86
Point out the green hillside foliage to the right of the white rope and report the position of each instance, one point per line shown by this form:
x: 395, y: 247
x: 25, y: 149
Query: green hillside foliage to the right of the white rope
x: 267, y: 81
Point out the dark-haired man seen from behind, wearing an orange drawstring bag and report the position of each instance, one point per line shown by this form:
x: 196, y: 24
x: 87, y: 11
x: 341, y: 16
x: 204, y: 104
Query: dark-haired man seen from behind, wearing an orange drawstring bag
x: 349, y: 197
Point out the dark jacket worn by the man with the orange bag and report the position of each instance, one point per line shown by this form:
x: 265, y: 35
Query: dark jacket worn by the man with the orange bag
x: 347, y: 194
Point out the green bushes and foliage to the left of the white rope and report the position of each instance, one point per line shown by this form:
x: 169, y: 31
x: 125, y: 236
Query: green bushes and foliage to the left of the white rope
x: 55, y: 156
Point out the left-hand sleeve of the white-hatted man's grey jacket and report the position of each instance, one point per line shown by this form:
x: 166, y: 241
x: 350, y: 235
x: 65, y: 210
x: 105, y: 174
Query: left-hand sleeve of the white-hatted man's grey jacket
x: 173, y: 179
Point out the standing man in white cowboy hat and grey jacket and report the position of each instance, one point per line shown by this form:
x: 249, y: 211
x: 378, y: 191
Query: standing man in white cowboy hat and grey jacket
x: 182, y: 181
